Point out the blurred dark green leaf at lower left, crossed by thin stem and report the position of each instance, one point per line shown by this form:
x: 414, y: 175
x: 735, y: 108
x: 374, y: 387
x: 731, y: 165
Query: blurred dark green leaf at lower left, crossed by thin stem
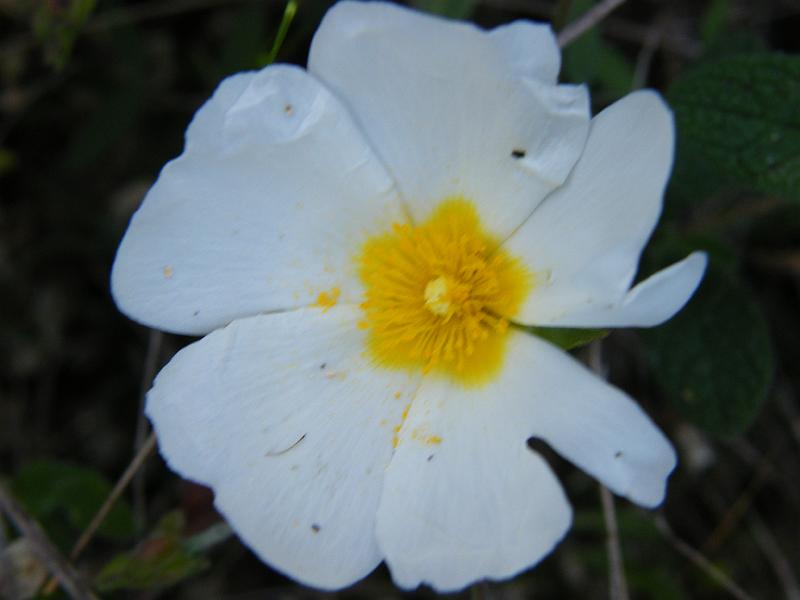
x: 55, y: 491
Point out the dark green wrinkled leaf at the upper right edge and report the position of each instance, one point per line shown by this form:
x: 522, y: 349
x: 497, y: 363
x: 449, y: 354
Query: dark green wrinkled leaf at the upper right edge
x: 738, y: 121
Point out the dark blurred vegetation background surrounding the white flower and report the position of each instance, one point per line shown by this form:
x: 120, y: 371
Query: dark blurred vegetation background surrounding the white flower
x: 94, y: 99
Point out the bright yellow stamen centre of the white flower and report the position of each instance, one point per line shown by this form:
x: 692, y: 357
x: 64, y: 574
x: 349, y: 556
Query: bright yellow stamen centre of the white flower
x: 439, y: 295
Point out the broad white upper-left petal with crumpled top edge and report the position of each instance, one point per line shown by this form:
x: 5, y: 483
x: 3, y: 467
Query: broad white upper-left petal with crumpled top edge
x: 266, y: 208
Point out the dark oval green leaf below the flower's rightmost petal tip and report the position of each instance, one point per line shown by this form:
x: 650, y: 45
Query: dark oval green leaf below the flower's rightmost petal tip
x: 714, y: 359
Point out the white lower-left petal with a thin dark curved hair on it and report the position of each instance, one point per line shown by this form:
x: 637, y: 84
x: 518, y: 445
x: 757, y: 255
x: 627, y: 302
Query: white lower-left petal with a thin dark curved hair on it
x: 293, y: 429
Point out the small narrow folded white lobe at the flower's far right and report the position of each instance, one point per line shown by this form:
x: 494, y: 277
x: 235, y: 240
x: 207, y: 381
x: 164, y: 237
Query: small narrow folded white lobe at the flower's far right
x: 649, y: 303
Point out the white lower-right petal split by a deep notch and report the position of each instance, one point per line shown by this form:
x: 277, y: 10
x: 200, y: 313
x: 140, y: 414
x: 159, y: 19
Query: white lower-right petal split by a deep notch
x: 466, y: 499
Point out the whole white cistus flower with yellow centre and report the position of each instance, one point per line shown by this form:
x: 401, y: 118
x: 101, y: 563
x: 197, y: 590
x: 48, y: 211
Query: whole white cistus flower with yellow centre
x: 359, y: 243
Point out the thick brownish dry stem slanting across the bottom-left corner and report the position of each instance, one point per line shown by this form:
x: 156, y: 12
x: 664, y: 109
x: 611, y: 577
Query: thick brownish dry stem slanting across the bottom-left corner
x: 44, y: 549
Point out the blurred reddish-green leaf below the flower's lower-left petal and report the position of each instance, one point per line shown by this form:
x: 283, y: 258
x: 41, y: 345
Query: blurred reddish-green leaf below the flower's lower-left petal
x: 163, y: 559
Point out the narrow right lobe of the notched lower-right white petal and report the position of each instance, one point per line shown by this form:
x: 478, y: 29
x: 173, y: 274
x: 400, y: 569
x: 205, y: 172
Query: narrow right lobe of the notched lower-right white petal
x: 593, y: 424
